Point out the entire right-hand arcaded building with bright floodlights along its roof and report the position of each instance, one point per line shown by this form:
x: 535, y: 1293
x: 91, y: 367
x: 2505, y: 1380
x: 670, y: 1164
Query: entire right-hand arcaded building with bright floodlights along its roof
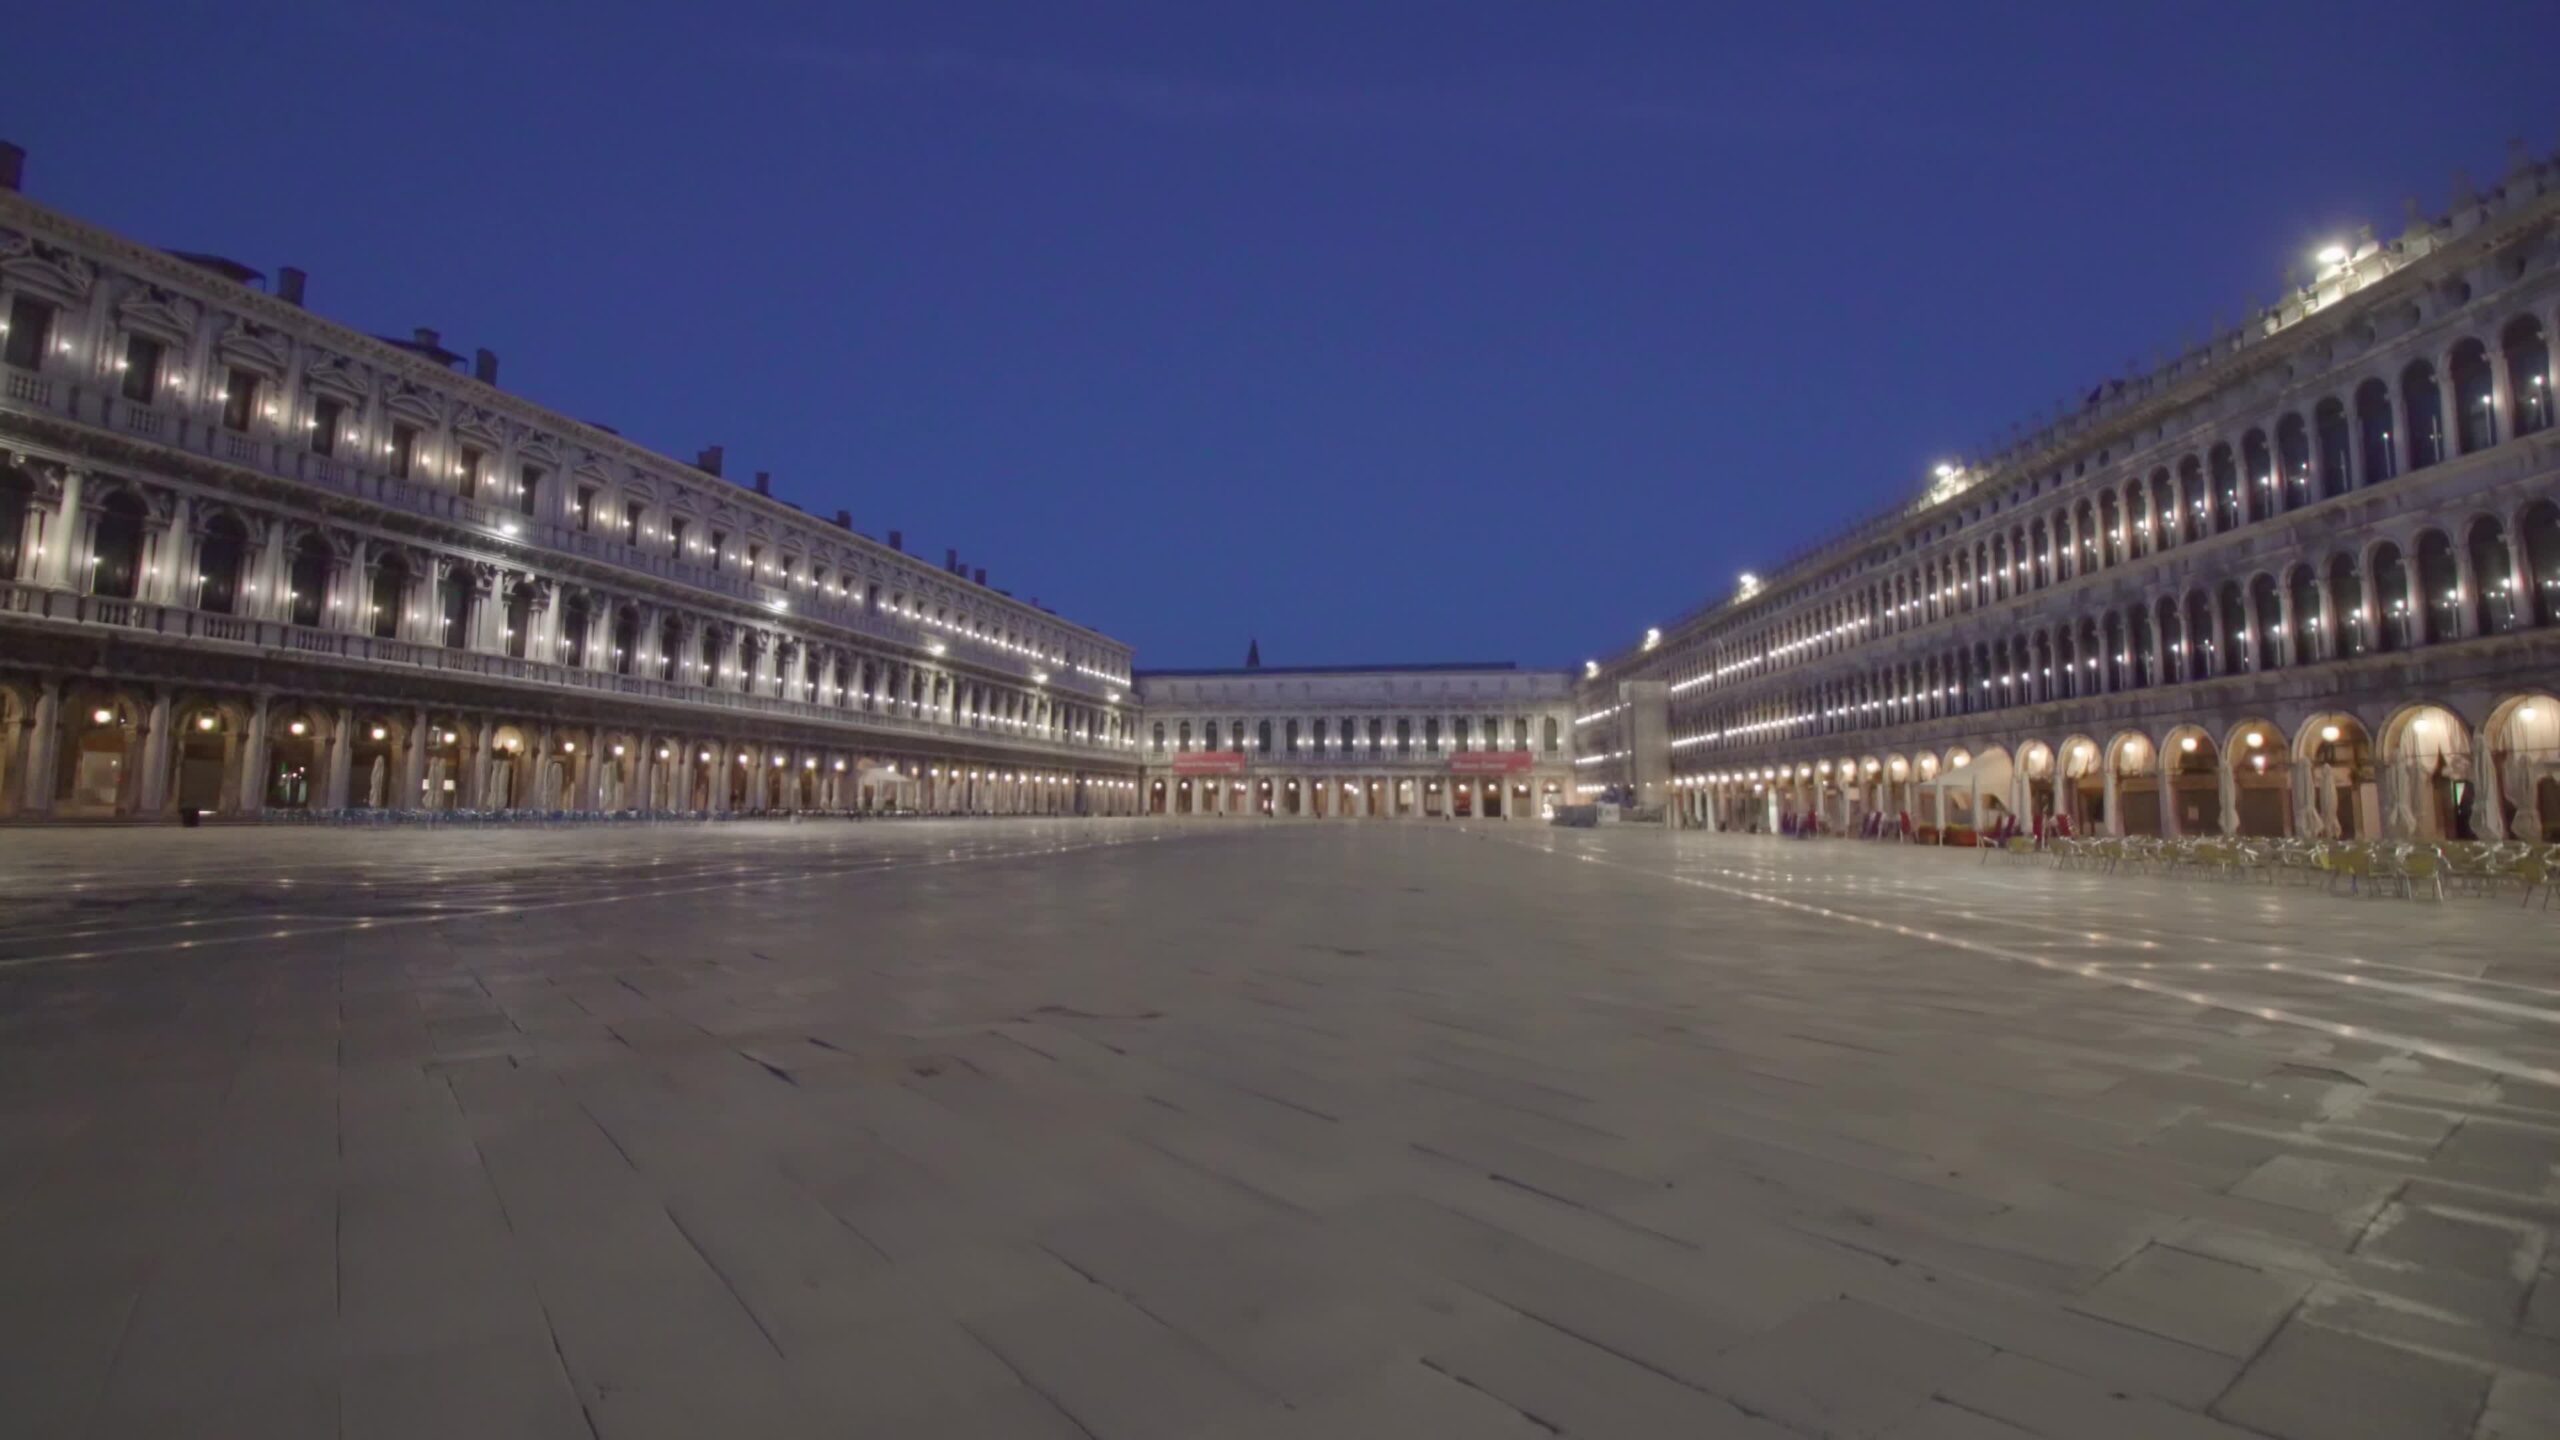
x: 2303, y: 580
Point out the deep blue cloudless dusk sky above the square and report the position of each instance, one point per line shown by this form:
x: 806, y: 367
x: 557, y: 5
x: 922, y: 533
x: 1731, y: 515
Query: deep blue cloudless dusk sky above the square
x: 1381, y: 329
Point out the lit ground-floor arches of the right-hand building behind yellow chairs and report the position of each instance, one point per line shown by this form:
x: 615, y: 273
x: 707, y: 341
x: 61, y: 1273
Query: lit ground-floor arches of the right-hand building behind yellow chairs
x: 2467, y: 767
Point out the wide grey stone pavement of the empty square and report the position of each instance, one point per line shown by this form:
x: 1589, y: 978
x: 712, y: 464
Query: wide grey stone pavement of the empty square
x: 1256, y: 1131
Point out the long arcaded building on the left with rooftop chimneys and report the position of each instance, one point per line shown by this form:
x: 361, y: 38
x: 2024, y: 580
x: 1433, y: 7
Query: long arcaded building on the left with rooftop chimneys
x: 252, y: 560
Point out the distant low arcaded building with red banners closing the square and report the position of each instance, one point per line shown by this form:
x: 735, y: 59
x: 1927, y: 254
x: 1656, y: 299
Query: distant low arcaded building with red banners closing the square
x: 1432, y: 742
